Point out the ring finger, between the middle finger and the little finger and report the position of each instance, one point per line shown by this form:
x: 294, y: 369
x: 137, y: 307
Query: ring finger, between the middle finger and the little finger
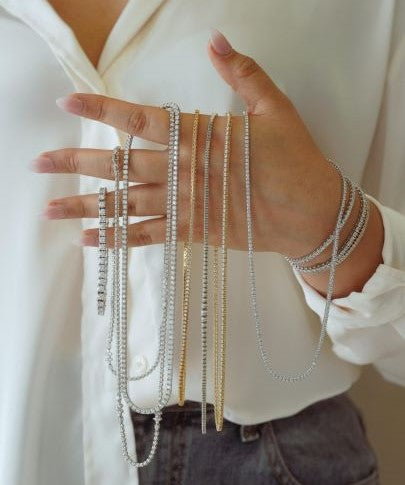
x: 143, y: 200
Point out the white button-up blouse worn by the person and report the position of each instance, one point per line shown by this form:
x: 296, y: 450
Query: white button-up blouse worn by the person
x: 342, y: 63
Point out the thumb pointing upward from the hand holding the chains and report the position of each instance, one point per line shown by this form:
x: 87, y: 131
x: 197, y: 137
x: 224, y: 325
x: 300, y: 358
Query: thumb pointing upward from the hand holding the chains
x: 243, y: 74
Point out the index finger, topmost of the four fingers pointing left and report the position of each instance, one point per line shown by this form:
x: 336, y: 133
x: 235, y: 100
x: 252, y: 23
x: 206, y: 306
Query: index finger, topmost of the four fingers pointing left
x: 147, y: 122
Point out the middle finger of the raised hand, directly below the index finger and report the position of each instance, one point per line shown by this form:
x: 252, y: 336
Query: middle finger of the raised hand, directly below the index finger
x: 146, y: 166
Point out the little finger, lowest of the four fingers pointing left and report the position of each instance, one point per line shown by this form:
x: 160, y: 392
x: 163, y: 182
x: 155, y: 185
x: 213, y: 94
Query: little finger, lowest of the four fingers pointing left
x: 144, y: 233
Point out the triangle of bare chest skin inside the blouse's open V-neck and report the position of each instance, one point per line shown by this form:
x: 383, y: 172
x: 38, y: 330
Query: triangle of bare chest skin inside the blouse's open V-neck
x: 92, y: 24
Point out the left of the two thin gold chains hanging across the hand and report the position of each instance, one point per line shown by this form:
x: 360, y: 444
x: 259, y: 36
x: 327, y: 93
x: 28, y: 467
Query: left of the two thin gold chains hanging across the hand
x: 187, y: 257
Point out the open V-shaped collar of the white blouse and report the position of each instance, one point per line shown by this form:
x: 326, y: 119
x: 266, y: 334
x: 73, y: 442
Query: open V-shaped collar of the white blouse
x: 43, y: 18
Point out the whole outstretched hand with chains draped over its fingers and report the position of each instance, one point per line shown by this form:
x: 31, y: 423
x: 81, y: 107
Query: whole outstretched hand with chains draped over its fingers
x: 295, y: 191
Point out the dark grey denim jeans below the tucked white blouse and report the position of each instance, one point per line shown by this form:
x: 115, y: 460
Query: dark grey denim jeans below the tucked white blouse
x: 323, y: 444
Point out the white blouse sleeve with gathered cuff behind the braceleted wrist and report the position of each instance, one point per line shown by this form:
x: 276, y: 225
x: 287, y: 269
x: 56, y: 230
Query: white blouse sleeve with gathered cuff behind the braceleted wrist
x: 369, y: 326
